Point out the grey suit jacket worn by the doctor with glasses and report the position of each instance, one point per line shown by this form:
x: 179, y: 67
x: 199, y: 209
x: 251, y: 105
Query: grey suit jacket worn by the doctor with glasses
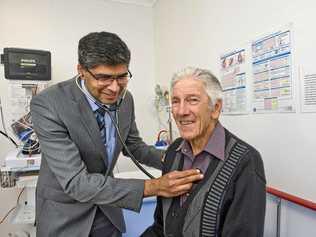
x: 74, y: 179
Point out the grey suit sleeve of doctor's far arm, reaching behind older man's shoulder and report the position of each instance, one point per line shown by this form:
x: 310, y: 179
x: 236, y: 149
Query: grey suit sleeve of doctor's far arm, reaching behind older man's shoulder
x: 145, y: 154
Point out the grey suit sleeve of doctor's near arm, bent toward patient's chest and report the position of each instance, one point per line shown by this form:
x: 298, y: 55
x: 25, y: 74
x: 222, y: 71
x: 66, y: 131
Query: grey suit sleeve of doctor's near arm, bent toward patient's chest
x: 64, y: 161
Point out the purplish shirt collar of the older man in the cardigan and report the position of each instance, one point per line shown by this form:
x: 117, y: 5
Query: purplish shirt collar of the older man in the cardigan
x: 214, y: 146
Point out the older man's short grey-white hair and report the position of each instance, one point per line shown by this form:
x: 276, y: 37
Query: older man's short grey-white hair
x: 212, y: 85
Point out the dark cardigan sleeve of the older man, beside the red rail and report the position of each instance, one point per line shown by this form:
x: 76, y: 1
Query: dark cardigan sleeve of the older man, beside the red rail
x: 245, y: 215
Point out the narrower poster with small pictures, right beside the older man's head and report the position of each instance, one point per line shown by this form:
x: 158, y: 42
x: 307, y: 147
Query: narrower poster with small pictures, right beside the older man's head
x: 234, y: 83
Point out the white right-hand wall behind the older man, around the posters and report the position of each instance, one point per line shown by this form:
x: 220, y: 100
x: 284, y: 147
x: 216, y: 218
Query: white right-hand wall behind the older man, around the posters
x: 195, y: 33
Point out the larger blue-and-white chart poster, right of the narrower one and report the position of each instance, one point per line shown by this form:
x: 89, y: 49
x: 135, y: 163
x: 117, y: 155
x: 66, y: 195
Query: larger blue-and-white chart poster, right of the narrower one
x: 272, y: 73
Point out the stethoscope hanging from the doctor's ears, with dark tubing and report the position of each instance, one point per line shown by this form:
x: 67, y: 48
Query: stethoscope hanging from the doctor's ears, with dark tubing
x: 108, y: 110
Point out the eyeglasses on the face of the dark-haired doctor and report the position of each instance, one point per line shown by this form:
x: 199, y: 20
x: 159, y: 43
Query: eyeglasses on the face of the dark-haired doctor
x: 106, y: 79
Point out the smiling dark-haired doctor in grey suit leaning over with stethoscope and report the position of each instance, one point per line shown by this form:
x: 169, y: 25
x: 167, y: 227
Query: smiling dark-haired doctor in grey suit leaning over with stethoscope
x: 77, y: 194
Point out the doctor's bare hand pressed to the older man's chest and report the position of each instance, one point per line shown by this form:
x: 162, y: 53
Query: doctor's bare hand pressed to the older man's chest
x: 172, y: 184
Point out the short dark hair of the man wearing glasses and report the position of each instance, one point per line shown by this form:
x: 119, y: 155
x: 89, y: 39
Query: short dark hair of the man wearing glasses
x: 102, y: 48
